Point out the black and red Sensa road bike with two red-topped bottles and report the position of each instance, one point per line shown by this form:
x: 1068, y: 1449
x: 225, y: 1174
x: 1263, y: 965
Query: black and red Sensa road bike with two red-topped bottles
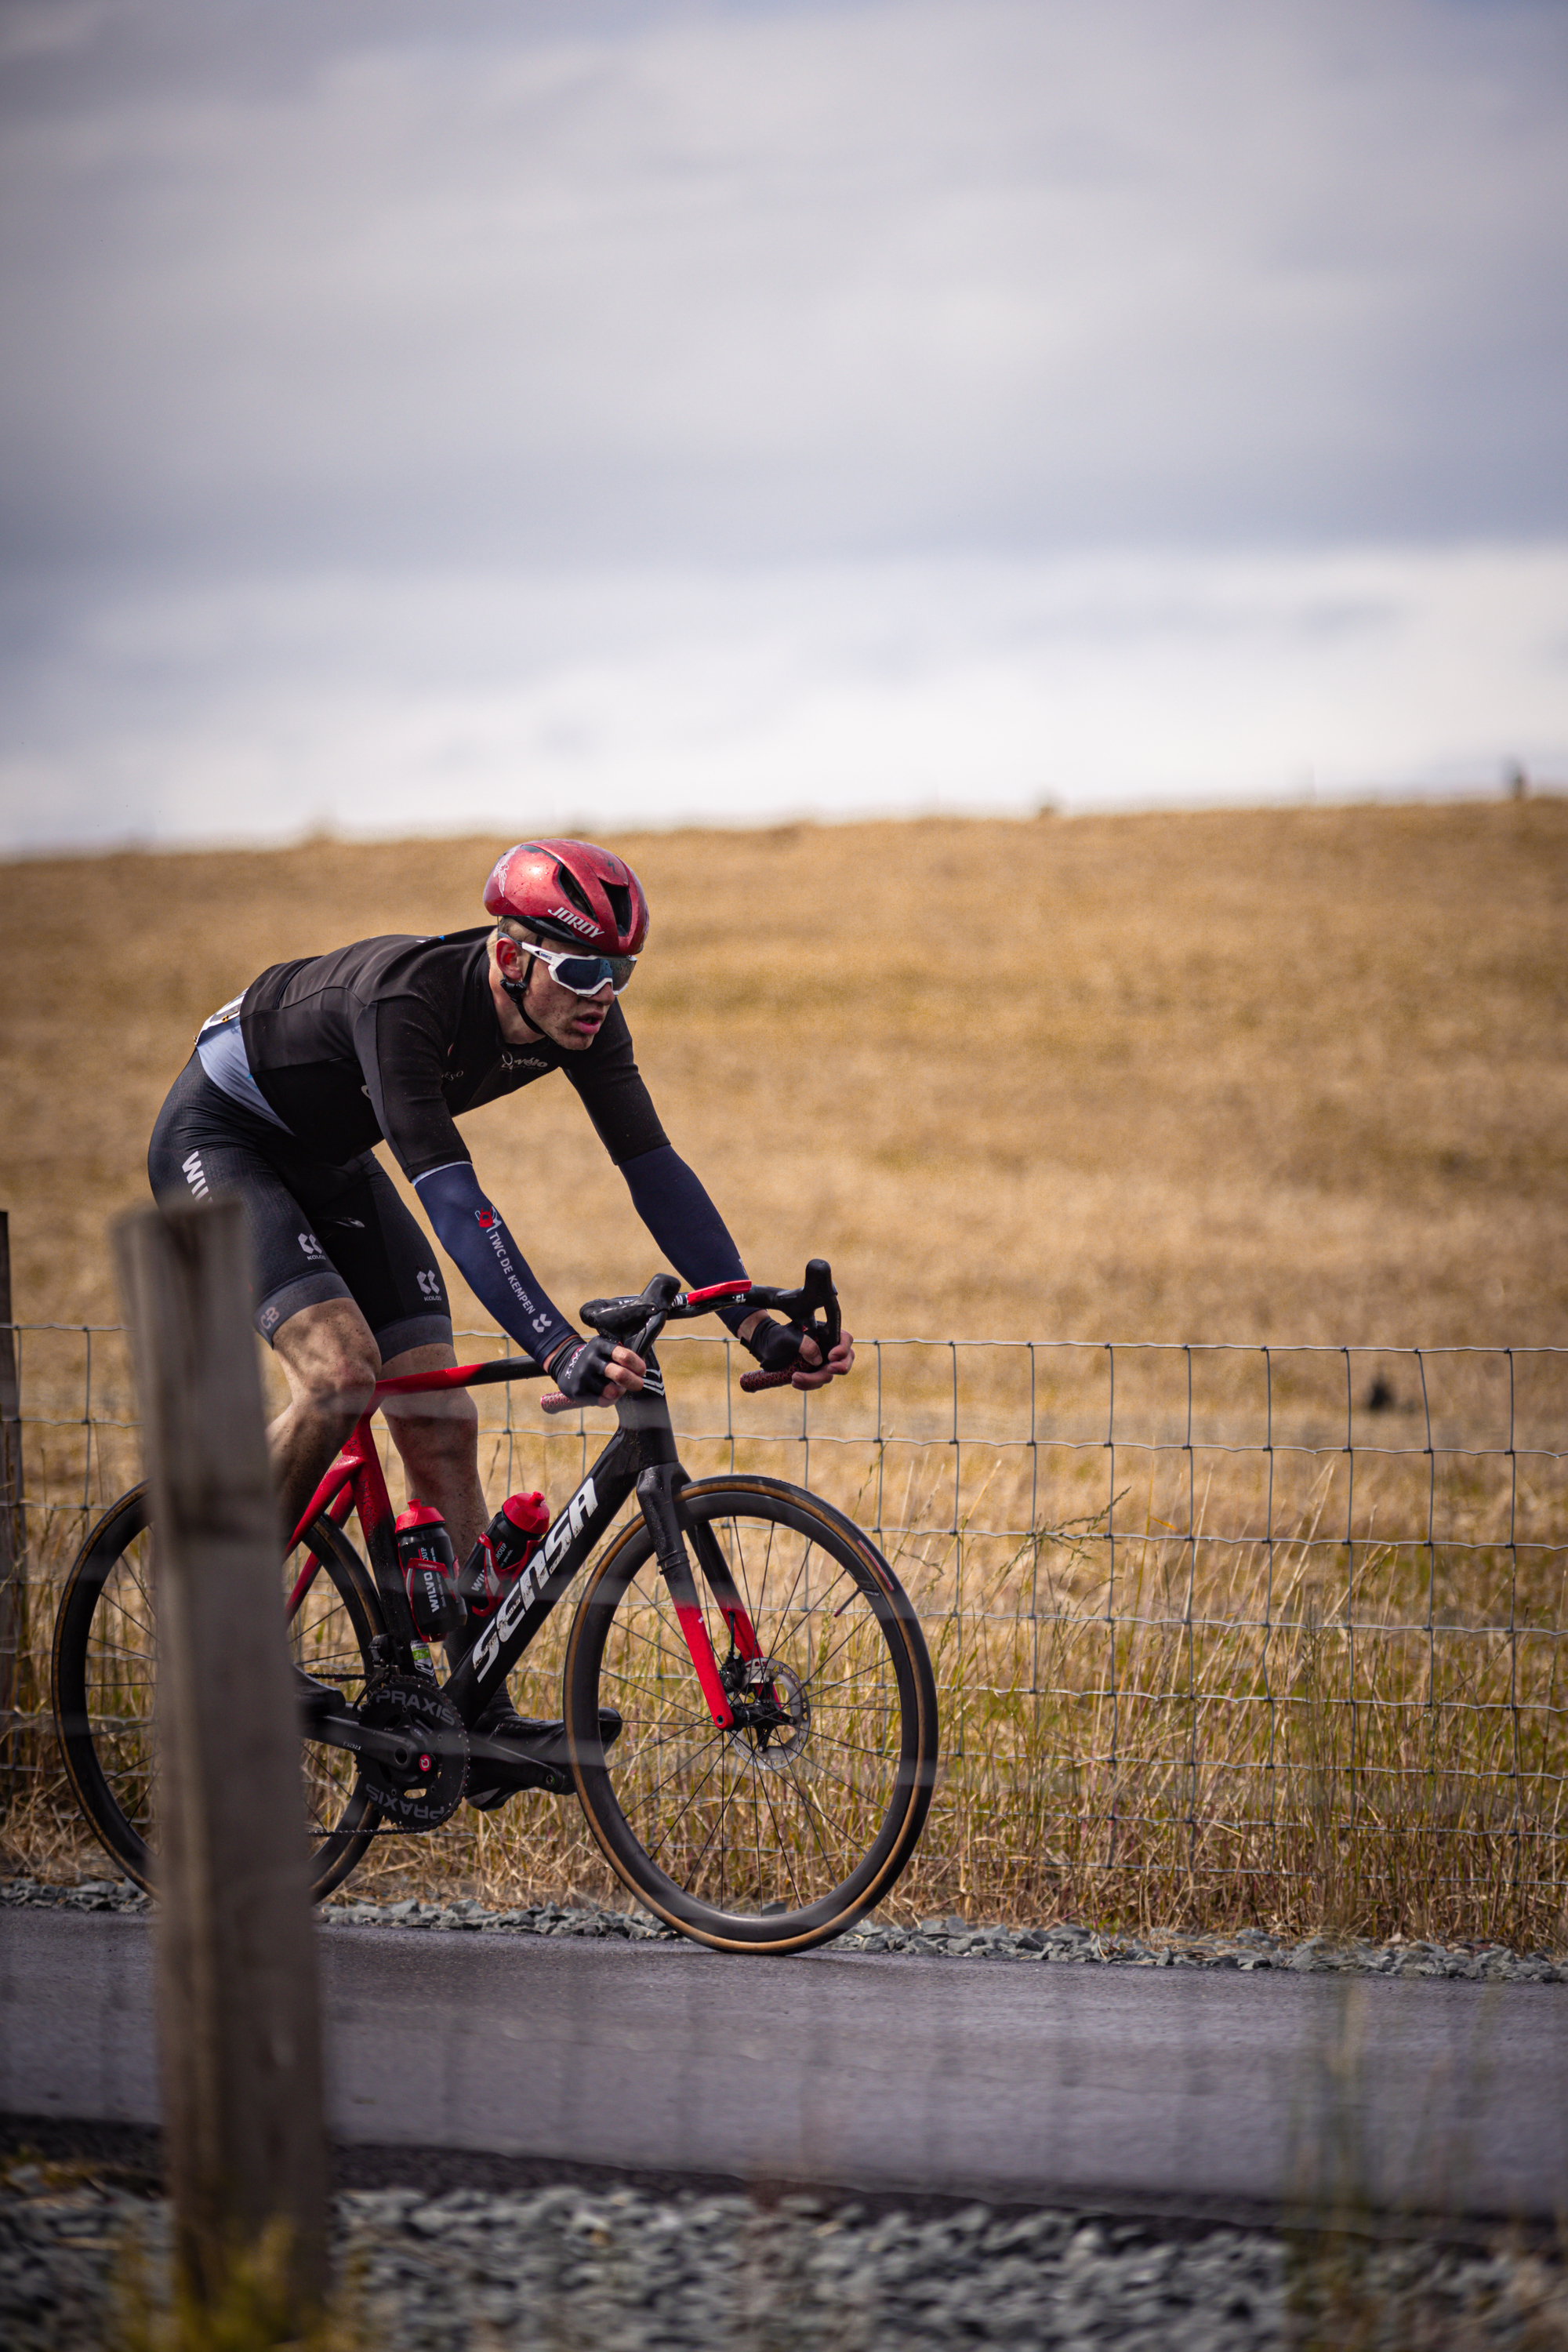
x: 777, y: 1735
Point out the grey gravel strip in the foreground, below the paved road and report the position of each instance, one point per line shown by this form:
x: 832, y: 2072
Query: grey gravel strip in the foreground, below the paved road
x: 634, y: 2271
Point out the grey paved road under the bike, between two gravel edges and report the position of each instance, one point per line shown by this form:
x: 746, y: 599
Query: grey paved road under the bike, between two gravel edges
x: 979, y: 2078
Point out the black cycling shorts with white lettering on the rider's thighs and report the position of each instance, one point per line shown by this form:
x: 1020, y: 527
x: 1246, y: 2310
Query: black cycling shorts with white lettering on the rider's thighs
x: 316, y: 1231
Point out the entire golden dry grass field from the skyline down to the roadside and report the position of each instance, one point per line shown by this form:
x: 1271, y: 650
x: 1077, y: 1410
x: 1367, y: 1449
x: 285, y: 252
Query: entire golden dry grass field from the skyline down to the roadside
x: 1271, y: 1076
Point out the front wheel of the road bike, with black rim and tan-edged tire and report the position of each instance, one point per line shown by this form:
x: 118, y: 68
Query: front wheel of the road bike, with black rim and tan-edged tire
x: 716, y: 1836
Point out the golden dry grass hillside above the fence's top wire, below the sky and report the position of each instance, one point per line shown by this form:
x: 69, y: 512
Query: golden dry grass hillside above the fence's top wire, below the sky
x: 1233, y: 1076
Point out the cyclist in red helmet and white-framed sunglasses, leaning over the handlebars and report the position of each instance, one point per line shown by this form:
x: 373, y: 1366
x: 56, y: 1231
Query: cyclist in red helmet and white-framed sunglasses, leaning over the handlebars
x: 391, y: 1038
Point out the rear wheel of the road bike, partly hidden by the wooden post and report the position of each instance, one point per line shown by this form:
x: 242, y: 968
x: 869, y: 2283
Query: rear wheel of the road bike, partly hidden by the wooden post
x: 105, y: 1673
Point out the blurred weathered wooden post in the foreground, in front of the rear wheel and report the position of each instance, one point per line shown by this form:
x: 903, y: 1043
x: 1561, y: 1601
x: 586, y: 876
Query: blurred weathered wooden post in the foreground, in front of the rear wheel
x: 236, y: 1949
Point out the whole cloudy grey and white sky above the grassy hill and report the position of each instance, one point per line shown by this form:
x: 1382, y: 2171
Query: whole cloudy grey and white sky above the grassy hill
x: 525, y: 415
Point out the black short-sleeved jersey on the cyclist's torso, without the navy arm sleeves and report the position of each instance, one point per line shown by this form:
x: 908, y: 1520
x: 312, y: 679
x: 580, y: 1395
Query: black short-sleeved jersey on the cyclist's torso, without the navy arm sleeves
x: 394, y: 1038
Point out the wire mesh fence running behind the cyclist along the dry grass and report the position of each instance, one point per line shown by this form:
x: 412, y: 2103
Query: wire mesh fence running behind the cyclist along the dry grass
x: 1221, y: 1633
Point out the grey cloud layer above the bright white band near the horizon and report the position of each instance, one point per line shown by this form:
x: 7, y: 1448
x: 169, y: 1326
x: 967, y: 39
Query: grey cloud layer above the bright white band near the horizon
x: 779, y: 283
